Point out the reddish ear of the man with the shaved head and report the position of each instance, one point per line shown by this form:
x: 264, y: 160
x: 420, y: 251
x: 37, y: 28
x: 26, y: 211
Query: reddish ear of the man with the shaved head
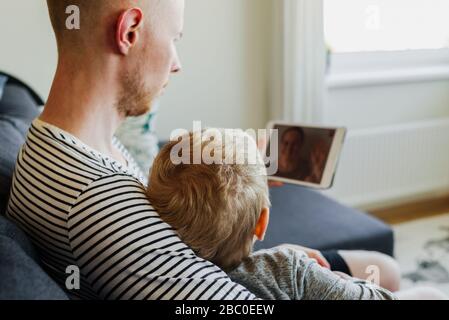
x: 128, y: 29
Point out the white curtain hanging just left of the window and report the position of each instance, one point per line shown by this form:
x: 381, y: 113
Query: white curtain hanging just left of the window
x: 299, y: 61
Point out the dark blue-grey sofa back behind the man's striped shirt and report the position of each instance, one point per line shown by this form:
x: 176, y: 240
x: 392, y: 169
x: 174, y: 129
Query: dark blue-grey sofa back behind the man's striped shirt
x: 22, y: 278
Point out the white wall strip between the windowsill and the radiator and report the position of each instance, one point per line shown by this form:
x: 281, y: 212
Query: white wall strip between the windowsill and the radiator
x: 383, y: 105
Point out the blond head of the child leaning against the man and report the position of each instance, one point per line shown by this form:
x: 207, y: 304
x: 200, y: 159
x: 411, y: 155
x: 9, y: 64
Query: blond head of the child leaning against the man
x: 217, y: 209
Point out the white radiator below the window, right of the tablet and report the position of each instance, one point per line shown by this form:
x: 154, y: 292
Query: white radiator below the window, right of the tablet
x: 384, y: 166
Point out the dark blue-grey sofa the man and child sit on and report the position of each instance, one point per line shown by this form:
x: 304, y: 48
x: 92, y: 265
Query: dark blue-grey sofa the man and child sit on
x: 299, y: 215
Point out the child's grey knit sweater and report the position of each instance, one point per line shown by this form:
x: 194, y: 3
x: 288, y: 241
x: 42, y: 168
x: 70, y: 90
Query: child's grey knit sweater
x: 286, y: 274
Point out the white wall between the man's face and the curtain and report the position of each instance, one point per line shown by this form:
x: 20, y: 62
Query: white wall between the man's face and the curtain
x: 225, y: 56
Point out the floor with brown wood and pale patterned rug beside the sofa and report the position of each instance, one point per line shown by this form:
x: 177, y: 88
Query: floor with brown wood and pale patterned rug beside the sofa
x: 421, y: 241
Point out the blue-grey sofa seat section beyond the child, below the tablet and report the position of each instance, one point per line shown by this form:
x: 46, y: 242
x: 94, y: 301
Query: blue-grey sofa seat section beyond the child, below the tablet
x: 306, y: 217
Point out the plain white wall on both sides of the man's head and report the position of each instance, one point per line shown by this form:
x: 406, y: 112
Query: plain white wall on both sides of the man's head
x: 225, y: 55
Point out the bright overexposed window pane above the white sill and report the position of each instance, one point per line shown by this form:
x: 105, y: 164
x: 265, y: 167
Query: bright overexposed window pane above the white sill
x: 386, y: 25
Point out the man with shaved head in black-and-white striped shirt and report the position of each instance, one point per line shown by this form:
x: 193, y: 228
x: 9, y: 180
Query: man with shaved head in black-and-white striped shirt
x: 76, y: 191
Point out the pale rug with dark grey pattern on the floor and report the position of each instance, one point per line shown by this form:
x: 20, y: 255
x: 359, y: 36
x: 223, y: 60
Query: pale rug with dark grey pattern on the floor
x: 422, y: 250
